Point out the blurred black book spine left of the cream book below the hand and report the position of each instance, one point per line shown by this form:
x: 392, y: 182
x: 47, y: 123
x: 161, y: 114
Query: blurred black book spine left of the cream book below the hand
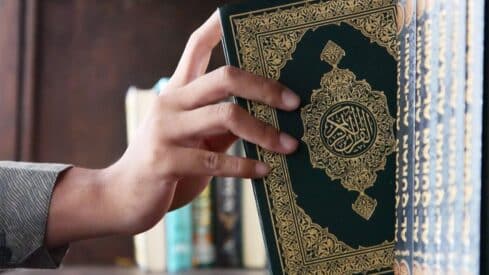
x: 227, y: 197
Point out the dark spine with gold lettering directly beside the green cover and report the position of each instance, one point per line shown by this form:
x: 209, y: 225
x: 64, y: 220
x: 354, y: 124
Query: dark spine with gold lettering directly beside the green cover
x: 405, y: 139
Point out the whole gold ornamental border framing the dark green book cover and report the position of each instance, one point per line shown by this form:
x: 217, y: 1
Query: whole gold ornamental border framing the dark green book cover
x: 266, y: 40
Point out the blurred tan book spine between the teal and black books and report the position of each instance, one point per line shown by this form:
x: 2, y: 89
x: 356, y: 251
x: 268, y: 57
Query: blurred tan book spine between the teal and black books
x: 203, y: 243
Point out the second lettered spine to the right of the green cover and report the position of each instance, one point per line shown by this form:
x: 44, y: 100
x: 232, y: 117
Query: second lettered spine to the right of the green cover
x: 426, y: 83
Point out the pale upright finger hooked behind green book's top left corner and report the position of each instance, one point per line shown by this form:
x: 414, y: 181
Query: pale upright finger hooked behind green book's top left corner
x: 197, y: 53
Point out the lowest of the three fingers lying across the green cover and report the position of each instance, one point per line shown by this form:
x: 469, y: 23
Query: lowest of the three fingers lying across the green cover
x: 190, y: 162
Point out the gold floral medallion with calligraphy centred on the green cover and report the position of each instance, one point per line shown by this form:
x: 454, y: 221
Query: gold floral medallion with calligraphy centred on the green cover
x: 348, y: 130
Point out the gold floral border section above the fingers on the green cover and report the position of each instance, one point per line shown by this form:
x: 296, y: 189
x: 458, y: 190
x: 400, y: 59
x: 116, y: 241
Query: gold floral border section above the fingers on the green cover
x: 260, y: 43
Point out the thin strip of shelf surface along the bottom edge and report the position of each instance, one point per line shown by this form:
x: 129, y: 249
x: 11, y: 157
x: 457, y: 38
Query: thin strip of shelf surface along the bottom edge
x: 126, y: 271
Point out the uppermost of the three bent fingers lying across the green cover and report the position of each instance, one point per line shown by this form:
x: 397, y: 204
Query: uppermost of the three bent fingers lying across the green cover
x: 225, y: 81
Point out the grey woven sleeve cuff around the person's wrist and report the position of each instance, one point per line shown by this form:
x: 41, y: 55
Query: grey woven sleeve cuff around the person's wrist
x: 25, y: 194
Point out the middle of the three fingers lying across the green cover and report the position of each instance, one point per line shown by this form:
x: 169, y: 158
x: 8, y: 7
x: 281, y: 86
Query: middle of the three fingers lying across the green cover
x: 227, y: 117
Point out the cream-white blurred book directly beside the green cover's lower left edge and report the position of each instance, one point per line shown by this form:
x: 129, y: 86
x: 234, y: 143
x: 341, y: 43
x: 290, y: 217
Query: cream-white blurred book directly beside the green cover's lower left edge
x: 254, y: 253
